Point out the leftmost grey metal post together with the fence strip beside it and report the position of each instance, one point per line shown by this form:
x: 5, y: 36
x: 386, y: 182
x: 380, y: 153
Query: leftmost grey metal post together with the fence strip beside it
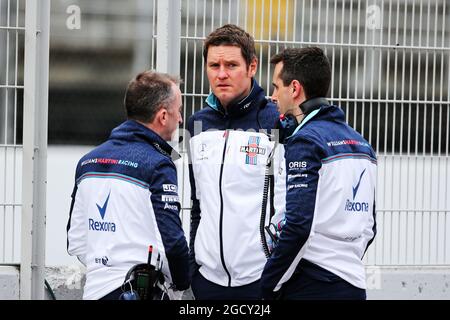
x: 24, y: 28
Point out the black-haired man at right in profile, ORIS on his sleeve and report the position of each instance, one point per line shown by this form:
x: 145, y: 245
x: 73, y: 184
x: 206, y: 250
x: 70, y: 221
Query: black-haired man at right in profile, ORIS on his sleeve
x: 330, y: 190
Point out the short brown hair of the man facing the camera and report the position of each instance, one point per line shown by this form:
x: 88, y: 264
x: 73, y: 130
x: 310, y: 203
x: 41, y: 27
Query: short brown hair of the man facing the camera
x: 231, y: 35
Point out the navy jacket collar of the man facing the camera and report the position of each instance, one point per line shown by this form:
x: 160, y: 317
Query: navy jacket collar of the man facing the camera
x: 239, y: 108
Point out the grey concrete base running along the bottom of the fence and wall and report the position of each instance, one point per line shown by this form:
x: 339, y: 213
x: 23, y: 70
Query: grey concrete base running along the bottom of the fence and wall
x: 383, y: 283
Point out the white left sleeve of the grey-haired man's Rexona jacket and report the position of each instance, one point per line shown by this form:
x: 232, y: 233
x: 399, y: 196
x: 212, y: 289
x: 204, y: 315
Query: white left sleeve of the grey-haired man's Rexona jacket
x: 76, y: 228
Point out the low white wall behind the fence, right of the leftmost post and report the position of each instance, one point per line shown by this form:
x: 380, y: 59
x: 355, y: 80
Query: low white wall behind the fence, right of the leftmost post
x: 405, y: 237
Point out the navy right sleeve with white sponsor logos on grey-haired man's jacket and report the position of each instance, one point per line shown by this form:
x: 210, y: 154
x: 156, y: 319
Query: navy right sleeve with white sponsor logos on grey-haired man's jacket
x: 166, y: 205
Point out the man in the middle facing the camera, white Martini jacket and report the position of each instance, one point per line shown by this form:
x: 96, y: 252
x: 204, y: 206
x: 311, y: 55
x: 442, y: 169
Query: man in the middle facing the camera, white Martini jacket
x: 229, y: 171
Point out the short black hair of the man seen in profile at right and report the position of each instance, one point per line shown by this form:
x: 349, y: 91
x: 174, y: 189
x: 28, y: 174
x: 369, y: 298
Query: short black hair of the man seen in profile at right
x: 309, y: 66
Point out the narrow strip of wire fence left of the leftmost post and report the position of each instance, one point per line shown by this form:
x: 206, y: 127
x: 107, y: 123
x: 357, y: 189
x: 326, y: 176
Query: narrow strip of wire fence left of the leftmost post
x: 12, y: 32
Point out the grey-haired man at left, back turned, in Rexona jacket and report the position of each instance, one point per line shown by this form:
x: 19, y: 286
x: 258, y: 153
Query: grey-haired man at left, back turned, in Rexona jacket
x: 125, y: 197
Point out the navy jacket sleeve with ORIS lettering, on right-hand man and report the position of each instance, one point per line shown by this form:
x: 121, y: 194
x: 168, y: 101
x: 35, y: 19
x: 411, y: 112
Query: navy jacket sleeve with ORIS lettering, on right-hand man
x: 302, y: 165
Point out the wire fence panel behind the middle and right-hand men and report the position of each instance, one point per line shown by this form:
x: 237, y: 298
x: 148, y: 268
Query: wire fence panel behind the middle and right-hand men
x: 391, y: 76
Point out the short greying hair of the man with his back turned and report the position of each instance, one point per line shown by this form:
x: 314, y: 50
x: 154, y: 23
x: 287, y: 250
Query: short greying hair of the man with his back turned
x: 147, y: 93
